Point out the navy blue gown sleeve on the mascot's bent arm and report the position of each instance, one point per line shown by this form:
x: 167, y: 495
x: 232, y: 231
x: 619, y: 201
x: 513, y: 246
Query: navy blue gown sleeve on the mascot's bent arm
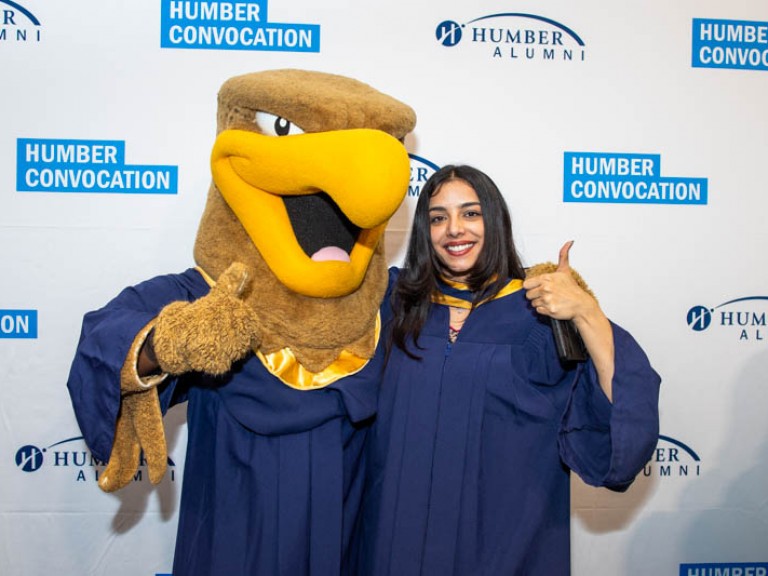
x: 105, y: 339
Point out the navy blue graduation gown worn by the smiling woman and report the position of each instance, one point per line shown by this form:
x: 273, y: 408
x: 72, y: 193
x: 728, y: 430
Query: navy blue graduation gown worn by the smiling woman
x: 470, y: 454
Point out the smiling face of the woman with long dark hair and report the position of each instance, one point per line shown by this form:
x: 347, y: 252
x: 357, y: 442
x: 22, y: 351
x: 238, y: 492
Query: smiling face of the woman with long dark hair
x: 456, y: 228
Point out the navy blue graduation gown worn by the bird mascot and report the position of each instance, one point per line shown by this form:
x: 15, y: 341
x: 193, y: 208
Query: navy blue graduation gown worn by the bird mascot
x: 272, y: 476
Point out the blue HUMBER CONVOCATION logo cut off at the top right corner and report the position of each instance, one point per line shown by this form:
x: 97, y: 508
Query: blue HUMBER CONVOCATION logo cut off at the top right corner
x: 738, y: 44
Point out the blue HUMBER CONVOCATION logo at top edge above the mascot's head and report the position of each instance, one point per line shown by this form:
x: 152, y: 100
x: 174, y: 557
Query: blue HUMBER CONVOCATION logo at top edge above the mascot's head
x: 231, y: 25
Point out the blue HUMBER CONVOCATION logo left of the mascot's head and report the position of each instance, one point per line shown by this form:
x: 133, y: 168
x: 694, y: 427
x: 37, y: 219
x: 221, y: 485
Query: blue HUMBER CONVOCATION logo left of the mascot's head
x: 95, y: 166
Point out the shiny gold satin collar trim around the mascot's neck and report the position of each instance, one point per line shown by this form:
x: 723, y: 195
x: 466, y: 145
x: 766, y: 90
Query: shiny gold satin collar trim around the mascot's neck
x: 284, y: 366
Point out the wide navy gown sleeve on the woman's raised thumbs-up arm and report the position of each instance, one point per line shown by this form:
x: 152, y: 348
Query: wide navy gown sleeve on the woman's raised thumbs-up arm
x: 608, y: 444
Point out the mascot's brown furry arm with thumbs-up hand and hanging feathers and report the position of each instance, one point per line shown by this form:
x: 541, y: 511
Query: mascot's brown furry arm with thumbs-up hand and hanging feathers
x: 206, y: 335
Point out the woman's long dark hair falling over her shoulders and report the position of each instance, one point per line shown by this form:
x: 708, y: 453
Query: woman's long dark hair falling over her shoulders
x: 497, y: 263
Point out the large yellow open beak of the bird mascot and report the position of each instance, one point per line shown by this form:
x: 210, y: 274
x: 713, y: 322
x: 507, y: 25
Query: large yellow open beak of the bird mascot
x: 365, y: 172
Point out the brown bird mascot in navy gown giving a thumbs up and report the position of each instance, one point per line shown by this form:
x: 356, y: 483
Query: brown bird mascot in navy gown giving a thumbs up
x: 272, y: 340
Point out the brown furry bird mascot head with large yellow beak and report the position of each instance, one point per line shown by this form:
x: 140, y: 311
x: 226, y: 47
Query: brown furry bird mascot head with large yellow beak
x: 307, y: 167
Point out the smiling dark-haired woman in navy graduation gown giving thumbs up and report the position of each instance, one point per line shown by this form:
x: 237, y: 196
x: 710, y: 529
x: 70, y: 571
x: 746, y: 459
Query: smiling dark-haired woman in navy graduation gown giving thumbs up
x: 479, y: 422
